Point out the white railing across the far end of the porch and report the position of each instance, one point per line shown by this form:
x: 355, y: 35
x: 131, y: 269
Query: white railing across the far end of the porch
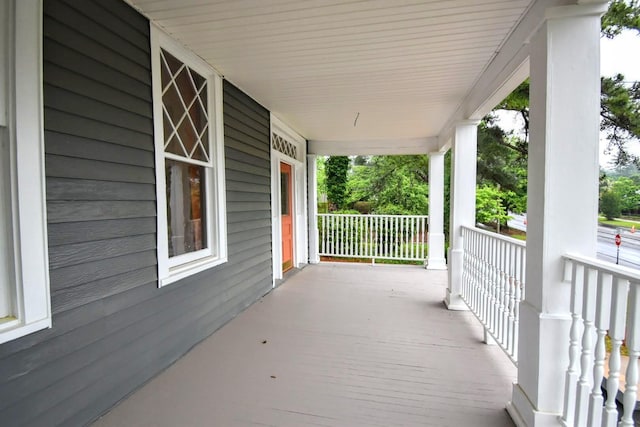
x: 400, y: 237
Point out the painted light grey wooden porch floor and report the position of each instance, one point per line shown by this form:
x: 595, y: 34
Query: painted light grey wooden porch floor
x: 335, y: 345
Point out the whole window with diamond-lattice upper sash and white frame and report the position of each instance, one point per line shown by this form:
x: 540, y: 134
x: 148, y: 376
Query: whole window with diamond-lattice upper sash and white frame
x: 190, y: 165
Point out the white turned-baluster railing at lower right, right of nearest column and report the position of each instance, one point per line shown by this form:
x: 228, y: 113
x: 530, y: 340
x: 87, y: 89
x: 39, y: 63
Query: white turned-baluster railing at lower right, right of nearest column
x: 605, y: 300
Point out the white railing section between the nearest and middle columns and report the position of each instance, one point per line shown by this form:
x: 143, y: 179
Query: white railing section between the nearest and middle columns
x: 493, y: 284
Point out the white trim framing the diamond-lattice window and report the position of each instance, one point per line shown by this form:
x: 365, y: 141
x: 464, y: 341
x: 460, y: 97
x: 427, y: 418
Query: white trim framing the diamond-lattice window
x: 171, y: 270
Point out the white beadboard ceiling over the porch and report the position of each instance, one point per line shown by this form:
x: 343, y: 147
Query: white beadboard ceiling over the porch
x: 402, y: 67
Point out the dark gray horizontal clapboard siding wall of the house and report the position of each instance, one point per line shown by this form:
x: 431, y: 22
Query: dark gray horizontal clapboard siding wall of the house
x: 113, y: 327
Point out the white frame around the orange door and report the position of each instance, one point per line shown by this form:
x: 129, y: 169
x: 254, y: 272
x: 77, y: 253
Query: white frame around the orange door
x: 299, y: 200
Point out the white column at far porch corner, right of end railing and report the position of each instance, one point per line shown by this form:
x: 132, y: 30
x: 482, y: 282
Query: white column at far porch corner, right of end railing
x: 435, y: 237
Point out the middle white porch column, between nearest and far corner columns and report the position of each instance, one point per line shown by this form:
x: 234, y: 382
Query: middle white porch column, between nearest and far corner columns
x: 463, y: 204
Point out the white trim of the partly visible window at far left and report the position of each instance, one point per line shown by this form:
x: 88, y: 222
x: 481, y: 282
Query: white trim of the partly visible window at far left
x: 22, y: 122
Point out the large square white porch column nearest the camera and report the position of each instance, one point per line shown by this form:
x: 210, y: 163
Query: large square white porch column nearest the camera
x: 562, y: 200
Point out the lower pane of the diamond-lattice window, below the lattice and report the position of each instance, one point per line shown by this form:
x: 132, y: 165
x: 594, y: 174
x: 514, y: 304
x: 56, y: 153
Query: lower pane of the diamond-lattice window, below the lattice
x: 185, y: 207
